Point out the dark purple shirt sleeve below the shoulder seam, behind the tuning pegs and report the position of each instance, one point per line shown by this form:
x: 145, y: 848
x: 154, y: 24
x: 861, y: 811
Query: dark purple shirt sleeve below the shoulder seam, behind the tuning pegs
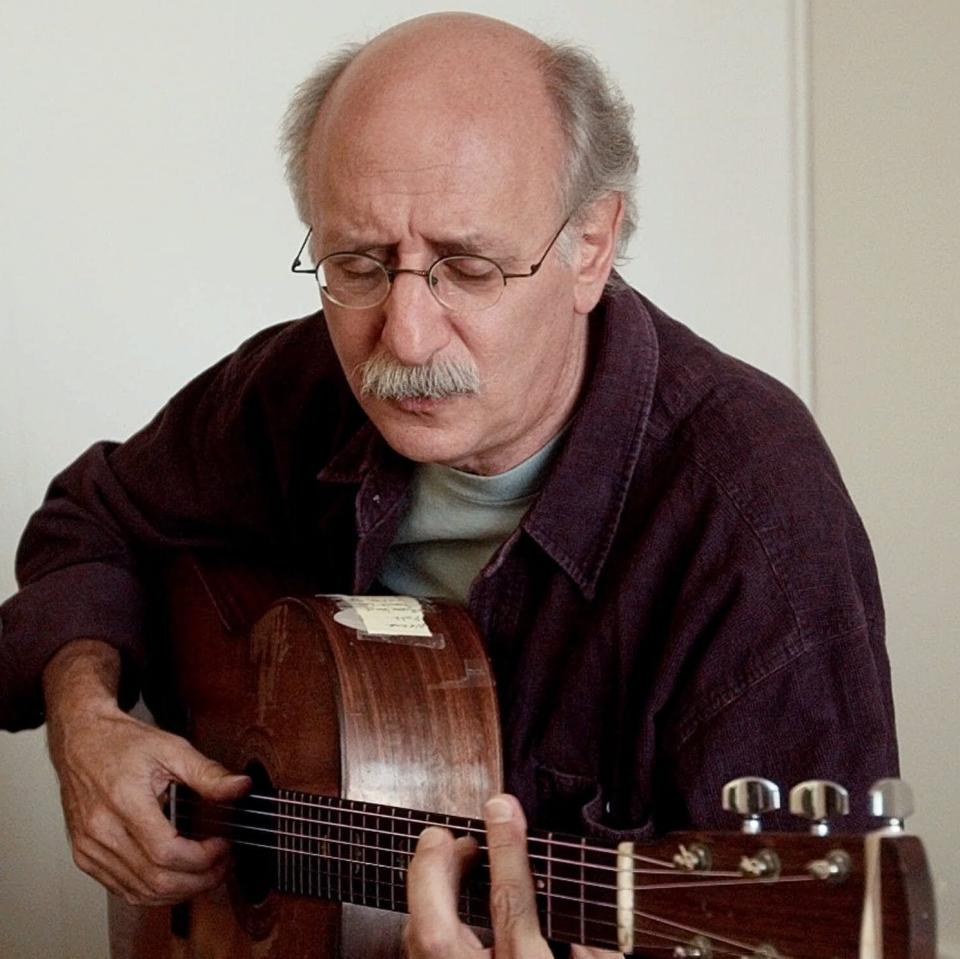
x: 824, y: 713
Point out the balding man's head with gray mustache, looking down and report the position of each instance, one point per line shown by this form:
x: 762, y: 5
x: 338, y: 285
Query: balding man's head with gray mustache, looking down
x: 455, y: 134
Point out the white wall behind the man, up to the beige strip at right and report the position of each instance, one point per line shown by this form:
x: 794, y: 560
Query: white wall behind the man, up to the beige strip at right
x: 146, y: 230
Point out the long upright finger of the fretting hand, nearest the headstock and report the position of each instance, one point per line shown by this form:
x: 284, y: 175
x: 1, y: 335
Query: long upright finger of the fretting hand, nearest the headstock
x: 513, y: 906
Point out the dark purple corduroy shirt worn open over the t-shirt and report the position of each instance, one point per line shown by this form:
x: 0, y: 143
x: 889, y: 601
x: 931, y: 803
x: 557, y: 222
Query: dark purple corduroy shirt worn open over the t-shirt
x: 691, y: 598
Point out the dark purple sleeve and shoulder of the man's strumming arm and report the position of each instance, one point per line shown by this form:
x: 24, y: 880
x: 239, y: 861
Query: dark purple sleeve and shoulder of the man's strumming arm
x: 213, y: 470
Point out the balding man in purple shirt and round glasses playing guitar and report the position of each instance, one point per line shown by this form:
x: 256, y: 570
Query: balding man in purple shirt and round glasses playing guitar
x: 672, y: 583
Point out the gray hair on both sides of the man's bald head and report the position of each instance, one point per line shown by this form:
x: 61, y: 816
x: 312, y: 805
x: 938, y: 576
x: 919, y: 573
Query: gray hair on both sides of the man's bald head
x: 594, y: 117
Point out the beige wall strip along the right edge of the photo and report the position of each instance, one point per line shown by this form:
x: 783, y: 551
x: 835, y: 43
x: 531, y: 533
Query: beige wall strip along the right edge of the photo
x: 886, y: 241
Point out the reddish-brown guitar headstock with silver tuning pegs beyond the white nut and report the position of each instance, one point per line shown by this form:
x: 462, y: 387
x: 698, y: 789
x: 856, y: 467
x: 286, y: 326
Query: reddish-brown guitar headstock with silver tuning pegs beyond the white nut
x: 819, y: 895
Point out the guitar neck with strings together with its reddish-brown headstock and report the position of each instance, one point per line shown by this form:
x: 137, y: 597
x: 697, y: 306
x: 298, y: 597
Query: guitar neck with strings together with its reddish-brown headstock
x: 690, y: 894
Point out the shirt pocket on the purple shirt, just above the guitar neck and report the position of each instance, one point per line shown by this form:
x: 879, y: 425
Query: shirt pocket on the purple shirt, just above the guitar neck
x: 576, y: 804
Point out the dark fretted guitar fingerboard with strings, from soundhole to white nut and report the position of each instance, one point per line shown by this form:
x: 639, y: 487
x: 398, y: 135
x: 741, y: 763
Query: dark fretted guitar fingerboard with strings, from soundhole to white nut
x: 358, y: 852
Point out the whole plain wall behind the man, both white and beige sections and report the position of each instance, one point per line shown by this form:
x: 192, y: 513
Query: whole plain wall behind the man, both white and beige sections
x: 799, y: 206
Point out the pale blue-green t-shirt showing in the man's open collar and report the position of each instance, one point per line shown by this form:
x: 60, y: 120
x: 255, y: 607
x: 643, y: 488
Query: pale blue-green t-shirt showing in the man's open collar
x: 456, y: 521
